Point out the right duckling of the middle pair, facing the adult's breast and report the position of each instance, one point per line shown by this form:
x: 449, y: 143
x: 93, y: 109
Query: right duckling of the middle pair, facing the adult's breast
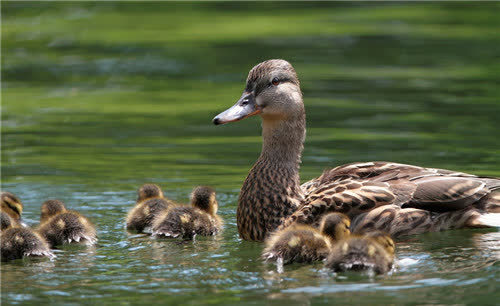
x: 188, y: 221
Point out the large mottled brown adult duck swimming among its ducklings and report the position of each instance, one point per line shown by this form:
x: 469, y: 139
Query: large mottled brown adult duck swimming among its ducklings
x: 272, y: 196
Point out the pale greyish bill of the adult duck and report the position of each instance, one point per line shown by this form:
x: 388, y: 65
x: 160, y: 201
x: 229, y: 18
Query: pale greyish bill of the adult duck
x: 245, y: 107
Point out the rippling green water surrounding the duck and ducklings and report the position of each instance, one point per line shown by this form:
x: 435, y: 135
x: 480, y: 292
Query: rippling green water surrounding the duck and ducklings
x: 99, y: 98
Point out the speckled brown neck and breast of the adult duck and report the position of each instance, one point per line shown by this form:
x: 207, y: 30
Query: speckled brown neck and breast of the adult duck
x: 271, y: 191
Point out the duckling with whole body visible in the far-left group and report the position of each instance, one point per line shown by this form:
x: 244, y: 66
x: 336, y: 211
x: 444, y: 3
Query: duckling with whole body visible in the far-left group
x: 59, y: 225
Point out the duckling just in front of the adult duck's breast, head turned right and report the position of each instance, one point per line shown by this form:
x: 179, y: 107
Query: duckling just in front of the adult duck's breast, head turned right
x: 303, y: 243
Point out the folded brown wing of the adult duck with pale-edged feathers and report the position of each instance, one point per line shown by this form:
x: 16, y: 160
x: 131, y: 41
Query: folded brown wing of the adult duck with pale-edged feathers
x: 360, y: 187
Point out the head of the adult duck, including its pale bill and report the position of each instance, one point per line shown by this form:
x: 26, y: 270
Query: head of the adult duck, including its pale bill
x: 272, y: 90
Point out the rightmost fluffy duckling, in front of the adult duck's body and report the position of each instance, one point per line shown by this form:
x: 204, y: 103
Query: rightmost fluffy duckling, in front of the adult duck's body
x: 371, y: 252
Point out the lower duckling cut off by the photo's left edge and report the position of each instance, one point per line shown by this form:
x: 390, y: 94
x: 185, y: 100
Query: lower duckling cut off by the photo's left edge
x: 18, y: 242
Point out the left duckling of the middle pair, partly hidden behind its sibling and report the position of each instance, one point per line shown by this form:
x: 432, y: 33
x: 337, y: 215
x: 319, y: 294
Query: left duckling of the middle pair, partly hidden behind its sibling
x: 150, y: 203
